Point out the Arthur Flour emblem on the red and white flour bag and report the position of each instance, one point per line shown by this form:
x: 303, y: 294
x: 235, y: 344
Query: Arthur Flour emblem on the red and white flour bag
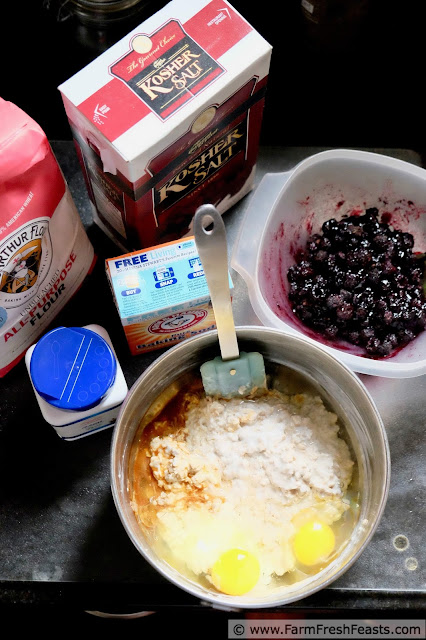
x: 21, y: 258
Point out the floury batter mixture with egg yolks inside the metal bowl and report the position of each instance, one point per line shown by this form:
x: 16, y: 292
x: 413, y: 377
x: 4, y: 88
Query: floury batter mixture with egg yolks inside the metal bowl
x: 266, y: 477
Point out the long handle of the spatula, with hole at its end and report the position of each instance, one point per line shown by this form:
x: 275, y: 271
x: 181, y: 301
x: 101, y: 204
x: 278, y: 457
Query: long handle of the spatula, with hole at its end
x: 212, y: 251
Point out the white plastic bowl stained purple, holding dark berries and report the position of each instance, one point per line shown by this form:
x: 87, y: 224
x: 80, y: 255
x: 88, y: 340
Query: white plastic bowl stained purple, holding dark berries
x: 287, y: 208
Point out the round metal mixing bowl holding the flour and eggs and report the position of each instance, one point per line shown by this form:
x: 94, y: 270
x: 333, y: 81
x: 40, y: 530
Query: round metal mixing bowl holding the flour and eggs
x: 341, y: 390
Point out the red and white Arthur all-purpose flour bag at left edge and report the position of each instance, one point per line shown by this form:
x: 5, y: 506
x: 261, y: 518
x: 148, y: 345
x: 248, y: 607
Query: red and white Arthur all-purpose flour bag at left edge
x: 44, y: 251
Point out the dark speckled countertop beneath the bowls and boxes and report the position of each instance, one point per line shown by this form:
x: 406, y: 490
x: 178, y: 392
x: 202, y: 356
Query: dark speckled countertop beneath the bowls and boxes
x: 61, y: 540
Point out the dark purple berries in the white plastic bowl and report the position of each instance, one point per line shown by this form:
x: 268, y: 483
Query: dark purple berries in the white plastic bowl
x: 359, y: 280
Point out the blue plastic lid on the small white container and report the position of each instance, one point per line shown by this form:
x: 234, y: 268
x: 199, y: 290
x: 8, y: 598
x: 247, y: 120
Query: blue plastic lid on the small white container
x: 72, y: 368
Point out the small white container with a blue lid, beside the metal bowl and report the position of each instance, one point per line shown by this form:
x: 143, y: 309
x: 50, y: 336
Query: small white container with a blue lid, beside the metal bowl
x: 77, y: 379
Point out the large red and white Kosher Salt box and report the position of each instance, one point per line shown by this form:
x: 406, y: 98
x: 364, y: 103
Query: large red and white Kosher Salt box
x: 169, y: 118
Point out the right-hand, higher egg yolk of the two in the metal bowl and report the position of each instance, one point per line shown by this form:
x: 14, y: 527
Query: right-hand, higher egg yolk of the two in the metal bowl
x: 313, y: 542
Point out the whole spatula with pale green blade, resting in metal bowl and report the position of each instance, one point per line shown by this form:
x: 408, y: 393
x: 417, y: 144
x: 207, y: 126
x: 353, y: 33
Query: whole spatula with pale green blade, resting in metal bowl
x: 233, y: 374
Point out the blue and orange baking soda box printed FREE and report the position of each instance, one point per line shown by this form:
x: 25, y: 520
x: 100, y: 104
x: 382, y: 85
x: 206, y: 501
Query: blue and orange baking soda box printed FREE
x: 161, y: 295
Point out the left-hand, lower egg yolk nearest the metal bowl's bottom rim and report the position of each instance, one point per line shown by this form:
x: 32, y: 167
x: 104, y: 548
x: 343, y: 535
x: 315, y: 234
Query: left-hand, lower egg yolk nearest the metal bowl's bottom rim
x: 235, y: 572
